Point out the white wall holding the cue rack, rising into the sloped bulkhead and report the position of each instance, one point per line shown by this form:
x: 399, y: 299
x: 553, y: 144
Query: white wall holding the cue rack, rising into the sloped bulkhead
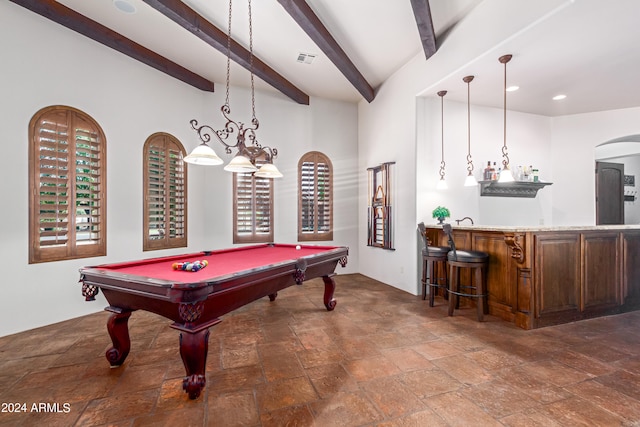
x: 389, y: 129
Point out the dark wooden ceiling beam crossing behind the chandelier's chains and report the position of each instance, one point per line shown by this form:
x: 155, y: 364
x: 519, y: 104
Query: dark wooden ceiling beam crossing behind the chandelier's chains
x: 189, y: 19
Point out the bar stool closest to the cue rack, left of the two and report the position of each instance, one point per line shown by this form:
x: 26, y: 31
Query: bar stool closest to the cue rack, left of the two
x: 434, y: 259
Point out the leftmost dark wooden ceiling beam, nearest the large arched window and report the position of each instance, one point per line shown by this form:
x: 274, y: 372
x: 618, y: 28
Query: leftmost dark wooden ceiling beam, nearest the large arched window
x: 73, y: 20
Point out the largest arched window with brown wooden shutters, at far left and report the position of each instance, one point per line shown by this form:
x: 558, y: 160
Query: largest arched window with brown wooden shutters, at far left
x: 67, y: 181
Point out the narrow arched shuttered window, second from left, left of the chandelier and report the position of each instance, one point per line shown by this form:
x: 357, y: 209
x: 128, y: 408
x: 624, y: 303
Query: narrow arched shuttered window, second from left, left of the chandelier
x: 165, y: 187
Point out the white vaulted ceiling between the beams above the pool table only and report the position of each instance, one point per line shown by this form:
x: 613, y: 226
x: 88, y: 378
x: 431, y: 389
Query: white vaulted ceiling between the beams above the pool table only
x: 355, y: 45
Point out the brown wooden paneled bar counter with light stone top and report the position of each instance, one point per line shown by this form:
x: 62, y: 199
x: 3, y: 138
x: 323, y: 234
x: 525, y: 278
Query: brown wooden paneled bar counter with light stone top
x: 541, y: 276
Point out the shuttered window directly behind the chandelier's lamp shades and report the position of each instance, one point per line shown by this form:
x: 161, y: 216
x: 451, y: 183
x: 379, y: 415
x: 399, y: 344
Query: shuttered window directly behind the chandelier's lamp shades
x: 252, y: 208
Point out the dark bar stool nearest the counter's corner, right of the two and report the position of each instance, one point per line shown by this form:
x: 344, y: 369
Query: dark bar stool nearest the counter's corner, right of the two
x: 476, y: 261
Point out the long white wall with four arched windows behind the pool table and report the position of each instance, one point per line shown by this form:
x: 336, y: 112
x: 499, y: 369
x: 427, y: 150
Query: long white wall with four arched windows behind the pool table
x: 55, y: 66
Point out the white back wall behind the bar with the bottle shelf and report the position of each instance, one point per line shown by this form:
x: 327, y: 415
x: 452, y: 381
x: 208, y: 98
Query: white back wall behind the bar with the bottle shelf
x: 528, y: 141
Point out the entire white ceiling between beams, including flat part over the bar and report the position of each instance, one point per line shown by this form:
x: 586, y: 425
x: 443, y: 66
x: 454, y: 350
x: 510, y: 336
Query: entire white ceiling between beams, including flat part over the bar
x: 585, y: 48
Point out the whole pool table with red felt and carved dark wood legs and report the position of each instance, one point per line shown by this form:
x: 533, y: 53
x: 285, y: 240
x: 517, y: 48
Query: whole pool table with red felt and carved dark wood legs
x: 195, y: 300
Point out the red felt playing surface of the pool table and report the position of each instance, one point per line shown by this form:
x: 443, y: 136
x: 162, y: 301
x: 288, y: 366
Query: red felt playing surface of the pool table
x: 222, y: 262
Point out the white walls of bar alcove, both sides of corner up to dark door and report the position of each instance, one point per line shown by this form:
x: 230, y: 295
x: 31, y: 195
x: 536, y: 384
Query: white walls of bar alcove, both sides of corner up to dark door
x: 563, y: 148
